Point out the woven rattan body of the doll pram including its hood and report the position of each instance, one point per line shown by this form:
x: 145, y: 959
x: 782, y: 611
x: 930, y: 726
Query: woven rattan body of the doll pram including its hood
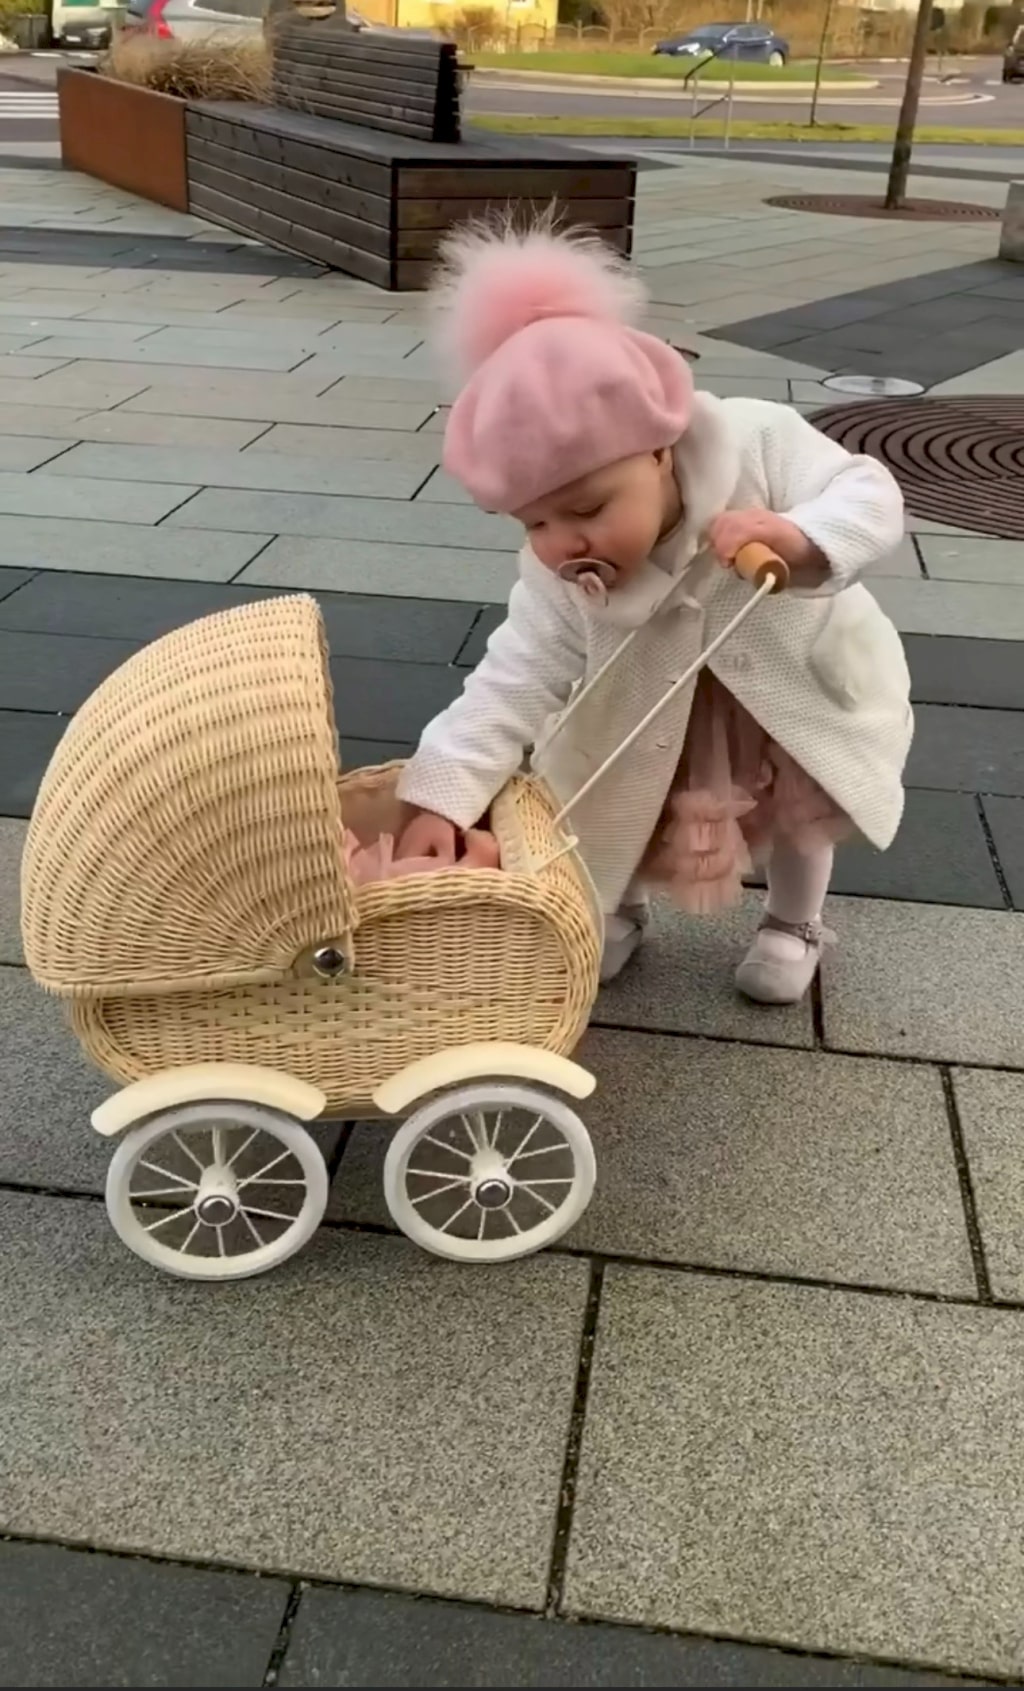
x: 185, y: 862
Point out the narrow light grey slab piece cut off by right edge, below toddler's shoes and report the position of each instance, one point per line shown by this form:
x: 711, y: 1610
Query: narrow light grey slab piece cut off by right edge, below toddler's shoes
x: 993, y: 1119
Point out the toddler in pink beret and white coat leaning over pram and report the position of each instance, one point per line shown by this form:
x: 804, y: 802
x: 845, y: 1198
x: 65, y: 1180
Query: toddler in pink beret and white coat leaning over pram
x: 636, y: 496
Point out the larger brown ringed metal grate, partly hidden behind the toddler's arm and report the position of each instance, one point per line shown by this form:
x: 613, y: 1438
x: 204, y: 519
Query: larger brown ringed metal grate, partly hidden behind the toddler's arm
x: 957, y: 461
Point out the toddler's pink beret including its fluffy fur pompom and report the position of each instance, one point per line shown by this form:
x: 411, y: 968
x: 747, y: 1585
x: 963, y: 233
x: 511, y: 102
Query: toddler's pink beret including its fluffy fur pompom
x: 557, y: 380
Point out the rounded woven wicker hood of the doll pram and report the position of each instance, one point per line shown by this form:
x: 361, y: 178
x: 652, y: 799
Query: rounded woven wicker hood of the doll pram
x: 188, y: 829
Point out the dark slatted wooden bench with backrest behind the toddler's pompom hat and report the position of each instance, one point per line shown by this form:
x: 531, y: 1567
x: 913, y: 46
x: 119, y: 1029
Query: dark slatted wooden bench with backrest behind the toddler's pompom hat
x: 362, y: 161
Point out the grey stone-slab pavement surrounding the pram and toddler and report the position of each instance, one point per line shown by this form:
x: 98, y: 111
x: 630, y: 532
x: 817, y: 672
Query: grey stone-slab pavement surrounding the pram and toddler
x: 758, y: 1420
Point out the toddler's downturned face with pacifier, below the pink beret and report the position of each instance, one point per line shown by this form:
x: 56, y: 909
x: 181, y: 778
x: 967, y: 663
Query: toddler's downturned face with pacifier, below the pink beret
x: 616, y: 515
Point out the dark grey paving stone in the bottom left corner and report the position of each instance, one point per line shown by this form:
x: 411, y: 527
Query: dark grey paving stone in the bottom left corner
x: 77, y: 1619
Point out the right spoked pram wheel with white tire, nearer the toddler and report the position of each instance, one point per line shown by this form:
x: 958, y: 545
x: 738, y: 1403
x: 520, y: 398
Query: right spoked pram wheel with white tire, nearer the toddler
x: 489, y: 1173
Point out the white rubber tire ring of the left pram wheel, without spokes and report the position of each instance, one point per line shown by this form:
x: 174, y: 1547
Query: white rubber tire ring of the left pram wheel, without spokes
x: 143, y: 1139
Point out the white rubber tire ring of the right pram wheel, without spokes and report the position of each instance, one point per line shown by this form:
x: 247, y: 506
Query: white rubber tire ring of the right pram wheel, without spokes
x: 486, y: 1097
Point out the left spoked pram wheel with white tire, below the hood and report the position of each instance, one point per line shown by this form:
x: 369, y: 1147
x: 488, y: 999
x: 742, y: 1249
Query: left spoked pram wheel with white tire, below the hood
x: 217, y: 1191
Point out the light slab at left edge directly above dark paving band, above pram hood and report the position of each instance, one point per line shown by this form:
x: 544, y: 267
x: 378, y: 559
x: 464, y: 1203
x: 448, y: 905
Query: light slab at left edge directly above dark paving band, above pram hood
x: 128, y: 549
